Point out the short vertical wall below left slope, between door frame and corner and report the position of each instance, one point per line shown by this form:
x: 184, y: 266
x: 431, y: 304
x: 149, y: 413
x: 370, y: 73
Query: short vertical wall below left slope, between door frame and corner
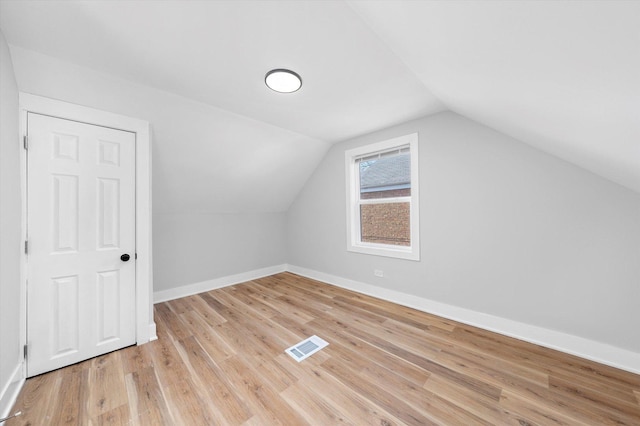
x: 241, y: 242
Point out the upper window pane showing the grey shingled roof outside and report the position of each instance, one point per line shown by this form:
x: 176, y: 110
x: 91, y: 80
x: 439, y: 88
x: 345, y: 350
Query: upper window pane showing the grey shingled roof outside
x: 385, y: 176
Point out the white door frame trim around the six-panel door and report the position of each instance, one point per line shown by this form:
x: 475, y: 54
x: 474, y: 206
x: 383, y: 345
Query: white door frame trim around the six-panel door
x: 145, y: 326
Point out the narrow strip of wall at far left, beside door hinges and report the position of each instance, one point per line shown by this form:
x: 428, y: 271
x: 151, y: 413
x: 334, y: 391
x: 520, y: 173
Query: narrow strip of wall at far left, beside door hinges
x: 10, y: 222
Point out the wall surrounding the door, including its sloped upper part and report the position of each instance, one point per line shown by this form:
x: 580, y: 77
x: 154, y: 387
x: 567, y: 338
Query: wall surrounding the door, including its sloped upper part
x: 218, y: 178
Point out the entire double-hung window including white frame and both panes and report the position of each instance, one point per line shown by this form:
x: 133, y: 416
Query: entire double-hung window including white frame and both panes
x: 382, y: 198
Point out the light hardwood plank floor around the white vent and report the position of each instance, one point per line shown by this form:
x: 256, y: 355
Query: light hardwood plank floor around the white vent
x: 219, y: 360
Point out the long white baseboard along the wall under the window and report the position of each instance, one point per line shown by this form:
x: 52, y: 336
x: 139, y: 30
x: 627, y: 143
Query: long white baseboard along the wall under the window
x: 574, y: 345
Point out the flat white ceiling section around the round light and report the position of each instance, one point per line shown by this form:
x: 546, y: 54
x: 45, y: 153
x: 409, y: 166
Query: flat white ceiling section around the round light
x: 218, y: 52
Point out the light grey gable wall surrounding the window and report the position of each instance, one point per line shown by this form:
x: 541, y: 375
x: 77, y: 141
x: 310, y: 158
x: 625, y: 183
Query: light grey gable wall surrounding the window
x: 506, y: 230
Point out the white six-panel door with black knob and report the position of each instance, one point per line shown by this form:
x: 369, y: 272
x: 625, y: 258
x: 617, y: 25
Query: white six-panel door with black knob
x: 81, y: 241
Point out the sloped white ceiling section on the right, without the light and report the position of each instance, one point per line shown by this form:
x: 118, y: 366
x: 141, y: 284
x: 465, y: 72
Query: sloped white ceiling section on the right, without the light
x: 563, y: 76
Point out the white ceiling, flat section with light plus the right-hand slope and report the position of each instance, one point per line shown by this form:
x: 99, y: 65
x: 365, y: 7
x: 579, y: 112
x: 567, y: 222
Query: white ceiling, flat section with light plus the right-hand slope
x: 563, y: 76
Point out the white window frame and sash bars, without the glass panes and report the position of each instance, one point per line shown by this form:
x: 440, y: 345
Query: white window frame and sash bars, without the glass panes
x: 354, y: 240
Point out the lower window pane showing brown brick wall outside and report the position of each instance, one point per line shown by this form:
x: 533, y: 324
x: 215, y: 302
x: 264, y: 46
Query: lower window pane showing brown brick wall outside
x: 386, y: 223
